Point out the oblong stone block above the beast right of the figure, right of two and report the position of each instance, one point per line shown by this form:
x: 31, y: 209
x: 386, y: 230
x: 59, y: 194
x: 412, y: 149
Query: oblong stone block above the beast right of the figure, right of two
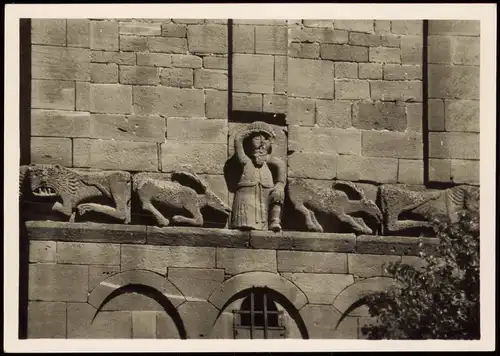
x: 373, y: 169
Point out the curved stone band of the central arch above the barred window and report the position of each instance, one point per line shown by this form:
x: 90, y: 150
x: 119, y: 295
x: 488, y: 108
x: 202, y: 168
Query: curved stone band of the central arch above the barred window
x: 244, y: 281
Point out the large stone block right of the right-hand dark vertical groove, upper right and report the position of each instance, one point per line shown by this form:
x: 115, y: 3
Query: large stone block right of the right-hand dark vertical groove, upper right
x: 453, y: 82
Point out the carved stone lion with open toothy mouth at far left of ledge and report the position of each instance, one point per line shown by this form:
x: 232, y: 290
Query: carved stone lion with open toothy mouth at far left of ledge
x: 77, y: 188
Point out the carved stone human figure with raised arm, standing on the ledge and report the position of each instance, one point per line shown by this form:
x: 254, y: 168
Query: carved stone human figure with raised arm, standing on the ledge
x: 259, y: 196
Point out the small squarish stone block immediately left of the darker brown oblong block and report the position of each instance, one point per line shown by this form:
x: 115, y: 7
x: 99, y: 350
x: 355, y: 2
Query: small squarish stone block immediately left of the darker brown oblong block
x: 333, y: 113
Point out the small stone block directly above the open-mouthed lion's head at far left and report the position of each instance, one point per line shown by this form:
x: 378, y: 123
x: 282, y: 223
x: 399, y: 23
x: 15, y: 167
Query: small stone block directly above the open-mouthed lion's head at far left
x: 51, y: 150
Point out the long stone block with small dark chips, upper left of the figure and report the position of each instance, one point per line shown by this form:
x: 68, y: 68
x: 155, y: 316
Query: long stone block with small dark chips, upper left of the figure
x: 127, y: 128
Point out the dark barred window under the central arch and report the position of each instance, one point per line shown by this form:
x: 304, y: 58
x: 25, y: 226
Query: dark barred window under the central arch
x: 258, y: 318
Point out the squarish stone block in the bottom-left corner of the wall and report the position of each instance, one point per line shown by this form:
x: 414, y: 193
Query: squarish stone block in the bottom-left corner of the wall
x: 46, y: 320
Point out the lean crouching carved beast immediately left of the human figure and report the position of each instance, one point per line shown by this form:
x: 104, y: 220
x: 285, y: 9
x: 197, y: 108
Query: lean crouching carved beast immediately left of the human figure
x: 192, y: 196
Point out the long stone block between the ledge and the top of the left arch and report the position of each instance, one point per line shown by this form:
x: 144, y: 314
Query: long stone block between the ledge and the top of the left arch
x: 158, y: 258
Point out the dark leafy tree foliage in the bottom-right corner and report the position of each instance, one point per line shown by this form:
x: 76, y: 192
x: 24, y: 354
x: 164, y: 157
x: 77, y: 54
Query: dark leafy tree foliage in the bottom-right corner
x: 439, y: 300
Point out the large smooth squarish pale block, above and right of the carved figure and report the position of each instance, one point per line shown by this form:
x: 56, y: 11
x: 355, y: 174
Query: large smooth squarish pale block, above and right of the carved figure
x: 311, y: 78
